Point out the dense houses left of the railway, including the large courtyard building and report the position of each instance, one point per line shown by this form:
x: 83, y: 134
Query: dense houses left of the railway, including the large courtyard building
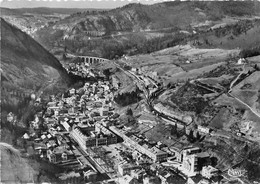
x: 81, y: 114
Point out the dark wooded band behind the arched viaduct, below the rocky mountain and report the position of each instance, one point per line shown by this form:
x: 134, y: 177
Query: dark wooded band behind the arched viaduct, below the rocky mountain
x: 135, y: 44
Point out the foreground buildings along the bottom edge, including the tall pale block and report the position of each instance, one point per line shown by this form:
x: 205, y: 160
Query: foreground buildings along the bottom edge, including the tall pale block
x: 191, y: 164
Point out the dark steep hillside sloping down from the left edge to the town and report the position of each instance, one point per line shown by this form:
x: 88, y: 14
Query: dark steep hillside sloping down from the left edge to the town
x: 27, y: 67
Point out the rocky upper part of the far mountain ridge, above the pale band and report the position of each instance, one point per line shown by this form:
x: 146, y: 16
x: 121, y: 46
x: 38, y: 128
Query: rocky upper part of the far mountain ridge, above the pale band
x: 159, y: 15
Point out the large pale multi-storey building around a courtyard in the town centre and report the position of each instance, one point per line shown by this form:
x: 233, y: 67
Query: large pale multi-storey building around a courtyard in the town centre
x: 93, y: 136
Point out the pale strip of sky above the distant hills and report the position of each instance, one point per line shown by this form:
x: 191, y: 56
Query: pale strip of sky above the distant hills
x: 103, y: 4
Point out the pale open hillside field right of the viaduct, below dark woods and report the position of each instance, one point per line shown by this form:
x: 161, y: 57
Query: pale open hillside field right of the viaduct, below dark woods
x: 180, y: 62
